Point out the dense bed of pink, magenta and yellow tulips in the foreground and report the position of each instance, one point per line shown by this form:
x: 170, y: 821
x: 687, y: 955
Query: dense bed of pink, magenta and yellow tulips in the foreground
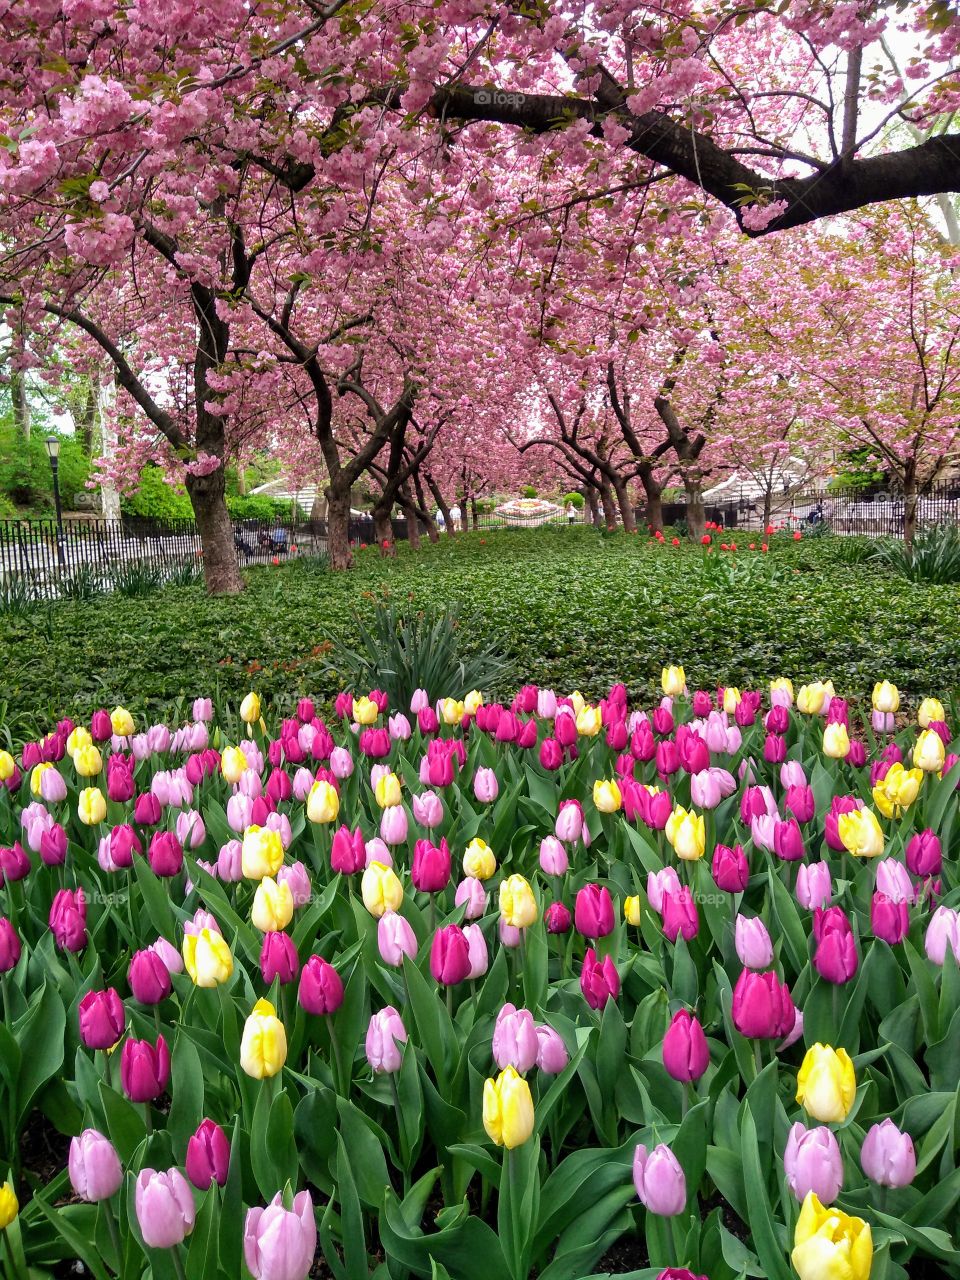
x: 467, y: 990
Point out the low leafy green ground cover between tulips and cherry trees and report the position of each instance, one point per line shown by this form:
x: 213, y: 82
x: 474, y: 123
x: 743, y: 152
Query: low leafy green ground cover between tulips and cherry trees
x: 572, y: 609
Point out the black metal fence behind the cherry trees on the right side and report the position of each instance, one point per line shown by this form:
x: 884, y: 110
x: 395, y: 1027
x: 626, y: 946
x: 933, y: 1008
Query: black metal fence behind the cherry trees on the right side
x: 872, y: 513
